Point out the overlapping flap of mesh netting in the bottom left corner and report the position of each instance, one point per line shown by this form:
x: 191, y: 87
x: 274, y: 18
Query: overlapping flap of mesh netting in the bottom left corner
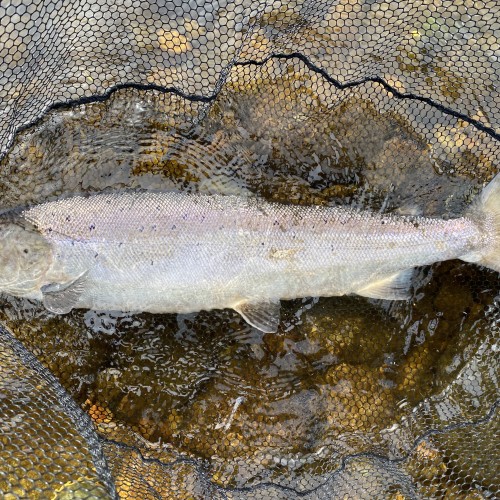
x: 49, y: 446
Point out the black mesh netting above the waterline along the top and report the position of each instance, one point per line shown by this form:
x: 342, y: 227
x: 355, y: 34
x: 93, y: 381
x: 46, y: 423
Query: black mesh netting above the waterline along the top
x: 434, y: 62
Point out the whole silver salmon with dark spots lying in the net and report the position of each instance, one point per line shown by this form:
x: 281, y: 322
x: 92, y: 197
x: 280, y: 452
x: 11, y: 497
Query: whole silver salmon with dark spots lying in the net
x: 178, y: 253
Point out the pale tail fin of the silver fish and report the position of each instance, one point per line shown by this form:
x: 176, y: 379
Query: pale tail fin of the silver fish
x: 486, y: 211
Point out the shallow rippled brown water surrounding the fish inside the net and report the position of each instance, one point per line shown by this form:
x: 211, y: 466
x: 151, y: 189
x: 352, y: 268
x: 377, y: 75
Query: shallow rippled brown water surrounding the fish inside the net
x: 341, y: 372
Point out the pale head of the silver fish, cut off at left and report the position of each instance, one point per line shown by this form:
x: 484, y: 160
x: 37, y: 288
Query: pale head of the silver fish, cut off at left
x: 25, y: 257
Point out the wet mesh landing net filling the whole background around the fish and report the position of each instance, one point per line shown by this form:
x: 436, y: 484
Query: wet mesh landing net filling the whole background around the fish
x: 371, y: 104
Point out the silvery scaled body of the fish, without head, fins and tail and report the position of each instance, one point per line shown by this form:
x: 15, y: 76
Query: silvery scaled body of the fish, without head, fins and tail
x: 172, y: 252
